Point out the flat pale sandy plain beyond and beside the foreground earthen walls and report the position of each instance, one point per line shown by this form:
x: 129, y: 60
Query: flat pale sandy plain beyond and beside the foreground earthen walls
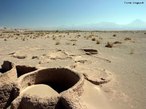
x: 124, y: 57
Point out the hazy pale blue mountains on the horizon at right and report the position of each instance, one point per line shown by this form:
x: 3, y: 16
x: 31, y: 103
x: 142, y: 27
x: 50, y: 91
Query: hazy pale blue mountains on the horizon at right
x: 135, y: 25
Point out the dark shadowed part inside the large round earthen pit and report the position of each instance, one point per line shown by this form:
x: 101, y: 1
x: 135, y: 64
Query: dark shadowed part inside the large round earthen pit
x: 59, y: 79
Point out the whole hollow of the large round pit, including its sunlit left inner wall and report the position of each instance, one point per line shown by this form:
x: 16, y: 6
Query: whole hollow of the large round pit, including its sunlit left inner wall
x: 60, y: 79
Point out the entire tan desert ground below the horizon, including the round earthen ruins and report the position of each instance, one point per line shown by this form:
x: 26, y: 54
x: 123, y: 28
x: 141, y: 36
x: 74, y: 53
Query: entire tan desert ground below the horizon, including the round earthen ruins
x: 72, y: 69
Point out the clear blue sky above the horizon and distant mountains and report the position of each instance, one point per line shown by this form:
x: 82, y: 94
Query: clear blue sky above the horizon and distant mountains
x: 62, y: 13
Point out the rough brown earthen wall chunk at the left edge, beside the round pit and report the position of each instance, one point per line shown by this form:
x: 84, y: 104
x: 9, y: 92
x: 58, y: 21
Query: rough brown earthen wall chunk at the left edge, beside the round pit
x: 7, y: 84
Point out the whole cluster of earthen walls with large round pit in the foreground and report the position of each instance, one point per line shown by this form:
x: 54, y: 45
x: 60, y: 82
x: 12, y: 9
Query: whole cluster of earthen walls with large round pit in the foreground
x: 25, y: 87
